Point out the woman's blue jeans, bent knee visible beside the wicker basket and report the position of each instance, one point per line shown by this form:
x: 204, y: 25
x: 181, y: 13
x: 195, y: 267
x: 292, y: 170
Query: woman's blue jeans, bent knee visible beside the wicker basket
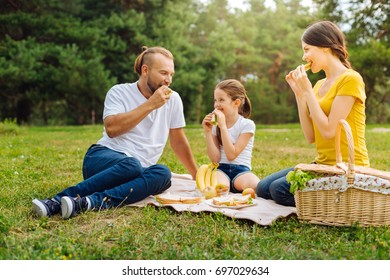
x: 276, y: 187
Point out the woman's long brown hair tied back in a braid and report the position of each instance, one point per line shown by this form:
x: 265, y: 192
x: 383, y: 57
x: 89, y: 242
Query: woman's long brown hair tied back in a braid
x: 326, y: 34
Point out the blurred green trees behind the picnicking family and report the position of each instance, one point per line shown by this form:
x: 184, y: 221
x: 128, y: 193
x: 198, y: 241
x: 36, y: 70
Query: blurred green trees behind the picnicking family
x: 59, y: 58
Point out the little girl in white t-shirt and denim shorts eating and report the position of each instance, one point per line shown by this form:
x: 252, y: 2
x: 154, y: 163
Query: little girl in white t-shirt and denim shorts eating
x: 230, y: 143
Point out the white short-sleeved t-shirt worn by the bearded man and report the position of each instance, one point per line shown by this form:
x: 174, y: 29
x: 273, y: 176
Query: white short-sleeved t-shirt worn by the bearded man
x: 147, y: 140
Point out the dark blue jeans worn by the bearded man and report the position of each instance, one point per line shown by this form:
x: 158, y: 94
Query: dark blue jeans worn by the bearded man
x: 112, y: 179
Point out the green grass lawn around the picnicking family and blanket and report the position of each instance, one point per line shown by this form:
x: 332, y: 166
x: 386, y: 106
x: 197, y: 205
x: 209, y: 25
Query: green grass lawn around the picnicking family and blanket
x: 37, y: 162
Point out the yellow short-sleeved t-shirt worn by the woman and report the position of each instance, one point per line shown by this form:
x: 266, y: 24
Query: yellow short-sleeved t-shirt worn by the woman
x: 350, y: 83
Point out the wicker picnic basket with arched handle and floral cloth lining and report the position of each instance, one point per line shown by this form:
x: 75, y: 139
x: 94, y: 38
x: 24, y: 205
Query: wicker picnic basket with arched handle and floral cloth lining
x: 349, y: 203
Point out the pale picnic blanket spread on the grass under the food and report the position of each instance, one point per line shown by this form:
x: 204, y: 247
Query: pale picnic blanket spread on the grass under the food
x: 264, y: 212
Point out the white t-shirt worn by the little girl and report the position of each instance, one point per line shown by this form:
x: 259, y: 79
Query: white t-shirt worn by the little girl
x: 241, y: 126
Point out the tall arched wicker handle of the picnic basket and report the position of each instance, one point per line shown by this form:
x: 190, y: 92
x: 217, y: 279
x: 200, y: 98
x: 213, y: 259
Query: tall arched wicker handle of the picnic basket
x: 351, y: 150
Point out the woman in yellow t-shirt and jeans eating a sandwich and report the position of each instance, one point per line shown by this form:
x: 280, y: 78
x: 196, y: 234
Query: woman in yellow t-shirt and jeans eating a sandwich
x: 340, y: 95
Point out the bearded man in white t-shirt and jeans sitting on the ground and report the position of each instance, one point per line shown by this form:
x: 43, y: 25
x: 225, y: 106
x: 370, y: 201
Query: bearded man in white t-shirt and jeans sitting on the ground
x: 138, y: 119
